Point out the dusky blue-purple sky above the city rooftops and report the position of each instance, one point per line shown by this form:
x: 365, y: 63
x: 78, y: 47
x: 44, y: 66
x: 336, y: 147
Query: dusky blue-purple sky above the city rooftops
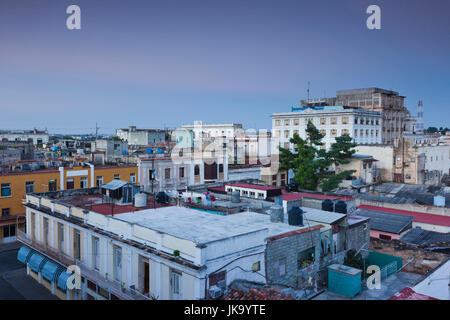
x: 156, y: 64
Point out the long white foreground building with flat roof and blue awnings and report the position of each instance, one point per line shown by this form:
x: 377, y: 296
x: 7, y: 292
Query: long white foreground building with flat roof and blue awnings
x: 168, y: 253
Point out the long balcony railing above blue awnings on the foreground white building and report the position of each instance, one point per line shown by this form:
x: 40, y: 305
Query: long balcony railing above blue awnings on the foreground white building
x: 112, y: 285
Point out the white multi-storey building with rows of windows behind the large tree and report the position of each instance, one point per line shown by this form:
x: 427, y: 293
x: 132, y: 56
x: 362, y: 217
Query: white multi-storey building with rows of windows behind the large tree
x: 332, y: 121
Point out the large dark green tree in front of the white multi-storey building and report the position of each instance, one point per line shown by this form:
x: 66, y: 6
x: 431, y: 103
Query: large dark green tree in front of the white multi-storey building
x: 310, y: 163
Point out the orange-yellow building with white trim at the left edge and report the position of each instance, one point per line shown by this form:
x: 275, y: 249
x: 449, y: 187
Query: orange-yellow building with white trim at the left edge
x: 15, y: 185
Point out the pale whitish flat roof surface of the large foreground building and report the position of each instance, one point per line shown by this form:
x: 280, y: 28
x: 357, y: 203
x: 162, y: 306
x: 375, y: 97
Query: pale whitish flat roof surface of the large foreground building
x: 203, y: 227
